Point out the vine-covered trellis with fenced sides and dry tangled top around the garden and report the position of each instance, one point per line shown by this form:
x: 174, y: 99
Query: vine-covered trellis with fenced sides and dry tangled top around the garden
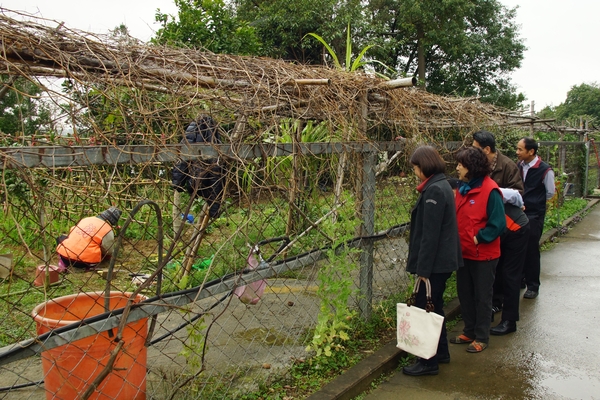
x: 302, y: 159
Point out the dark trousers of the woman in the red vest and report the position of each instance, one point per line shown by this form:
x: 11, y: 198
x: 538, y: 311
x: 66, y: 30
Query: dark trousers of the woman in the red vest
x: 474, y: 283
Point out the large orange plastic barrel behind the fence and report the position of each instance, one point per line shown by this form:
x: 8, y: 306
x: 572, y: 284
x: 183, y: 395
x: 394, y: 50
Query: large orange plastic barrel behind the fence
x: 71, y: 368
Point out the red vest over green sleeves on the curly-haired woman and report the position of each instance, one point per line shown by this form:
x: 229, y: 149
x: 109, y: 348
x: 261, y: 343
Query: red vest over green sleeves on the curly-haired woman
x: 471, y: 216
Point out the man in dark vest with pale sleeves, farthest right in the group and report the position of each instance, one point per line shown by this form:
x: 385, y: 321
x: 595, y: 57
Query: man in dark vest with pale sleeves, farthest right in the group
x: 538, y: 179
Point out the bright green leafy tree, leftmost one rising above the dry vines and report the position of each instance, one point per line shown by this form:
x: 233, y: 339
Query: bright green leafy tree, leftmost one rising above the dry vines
x: 208, y: 24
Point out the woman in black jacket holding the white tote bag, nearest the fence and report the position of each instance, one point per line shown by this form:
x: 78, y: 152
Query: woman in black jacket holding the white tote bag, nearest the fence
x: 434, y: 247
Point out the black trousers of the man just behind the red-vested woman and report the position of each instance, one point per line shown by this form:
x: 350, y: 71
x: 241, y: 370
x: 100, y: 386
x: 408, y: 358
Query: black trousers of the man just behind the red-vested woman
x: 509, y: 272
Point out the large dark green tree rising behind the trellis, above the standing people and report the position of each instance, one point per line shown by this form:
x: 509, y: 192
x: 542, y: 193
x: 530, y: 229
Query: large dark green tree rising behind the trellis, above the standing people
x: 459, y: 47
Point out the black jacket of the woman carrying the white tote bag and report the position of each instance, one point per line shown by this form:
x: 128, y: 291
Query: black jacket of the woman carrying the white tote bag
x: 434, y: 245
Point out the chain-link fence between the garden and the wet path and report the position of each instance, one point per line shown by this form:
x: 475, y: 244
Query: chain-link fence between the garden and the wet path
x: 310, y: 244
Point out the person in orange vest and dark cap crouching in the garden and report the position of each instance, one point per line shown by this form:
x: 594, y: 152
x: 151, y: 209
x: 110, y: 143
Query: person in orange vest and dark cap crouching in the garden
x: 88, y: 242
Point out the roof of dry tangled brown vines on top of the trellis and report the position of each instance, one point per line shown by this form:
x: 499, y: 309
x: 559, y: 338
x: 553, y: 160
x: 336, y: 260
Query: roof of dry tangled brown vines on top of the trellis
x: 154, y: 88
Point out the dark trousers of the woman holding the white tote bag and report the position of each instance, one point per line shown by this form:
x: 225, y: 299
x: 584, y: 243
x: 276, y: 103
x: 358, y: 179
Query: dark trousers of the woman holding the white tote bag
x: 438, y: 286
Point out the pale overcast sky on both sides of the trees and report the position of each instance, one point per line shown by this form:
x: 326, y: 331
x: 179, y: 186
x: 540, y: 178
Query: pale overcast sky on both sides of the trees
x: 560, y: 36
